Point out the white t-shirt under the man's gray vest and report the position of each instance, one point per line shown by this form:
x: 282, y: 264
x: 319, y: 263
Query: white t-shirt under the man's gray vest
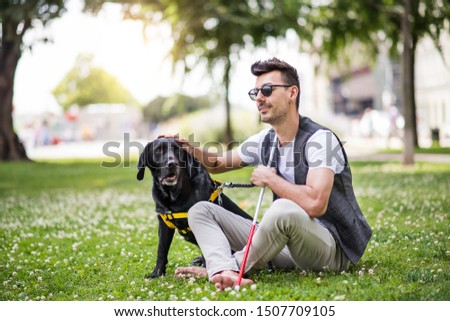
x: 322, y: 151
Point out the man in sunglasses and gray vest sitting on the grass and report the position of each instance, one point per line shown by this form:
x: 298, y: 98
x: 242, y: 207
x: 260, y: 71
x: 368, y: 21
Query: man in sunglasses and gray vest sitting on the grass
x: 314, y: 223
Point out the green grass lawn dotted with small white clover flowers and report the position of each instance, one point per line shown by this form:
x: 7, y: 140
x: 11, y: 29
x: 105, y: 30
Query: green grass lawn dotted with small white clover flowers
x: 79, y: 231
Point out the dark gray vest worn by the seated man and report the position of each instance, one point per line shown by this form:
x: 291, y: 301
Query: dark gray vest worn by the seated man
x: 343, y: 217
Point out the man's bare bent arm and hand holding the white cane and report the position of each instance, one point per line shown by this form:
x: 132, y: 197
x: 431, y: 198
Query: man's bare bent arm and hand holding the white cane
x: 312, y: 197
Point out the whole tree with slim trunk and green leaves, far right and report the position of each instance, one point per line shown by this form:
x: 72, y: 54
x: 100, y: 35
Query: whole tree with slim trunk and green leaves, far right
x: 400, y: 24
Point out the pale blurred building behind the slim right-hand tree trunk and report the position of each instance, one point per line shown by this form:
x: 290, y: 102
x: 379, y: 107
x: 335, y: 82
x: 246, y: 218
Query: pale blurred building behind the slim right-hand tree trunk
x: 373, y: 95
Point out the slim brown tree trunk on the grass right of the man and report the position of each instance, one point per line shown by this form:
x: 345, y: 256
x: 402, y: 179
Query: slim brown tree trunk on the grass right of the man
x: 407, y: 85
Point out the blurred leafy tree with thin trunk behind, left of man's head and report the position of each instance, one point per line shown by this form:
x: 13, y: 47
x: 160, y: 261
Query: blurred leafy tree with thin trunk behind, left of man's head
x: 215, y: 31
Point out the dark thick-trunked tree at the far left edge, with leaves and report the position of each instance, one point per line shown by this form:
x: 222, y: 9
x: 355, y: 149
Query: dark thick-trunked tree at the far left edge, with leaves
x: 17, y: 17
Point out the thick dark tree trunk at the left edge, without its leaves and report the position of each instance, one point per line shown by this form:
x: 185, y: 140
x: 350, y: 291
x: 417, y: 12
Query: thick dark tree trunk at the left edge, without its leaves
x: 11, y: 149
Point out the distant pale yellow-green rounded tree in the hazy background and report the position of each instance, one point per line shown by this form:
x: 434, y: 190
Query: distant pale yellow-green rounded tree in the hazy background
x: 85, y: 84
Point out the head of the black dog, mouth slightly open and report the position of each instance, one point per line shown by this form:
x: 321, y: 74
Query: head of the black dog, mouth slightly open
x: 167, y: 161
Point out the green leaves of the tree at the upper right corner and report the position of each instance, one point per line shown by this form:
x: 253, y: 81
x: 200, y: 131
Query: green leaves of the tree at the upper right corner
x: 340, y: 23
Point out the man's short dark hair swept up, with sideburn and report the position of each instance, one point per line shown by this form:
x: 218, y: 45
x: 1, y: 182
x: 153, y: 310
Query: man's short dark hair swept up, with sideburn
x: 289, y: 74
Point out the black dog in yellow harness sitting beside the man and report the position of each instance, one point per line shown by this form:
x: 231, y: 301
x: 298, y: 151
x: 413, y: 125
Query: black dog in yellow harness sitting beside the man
x: 179, y: 181
